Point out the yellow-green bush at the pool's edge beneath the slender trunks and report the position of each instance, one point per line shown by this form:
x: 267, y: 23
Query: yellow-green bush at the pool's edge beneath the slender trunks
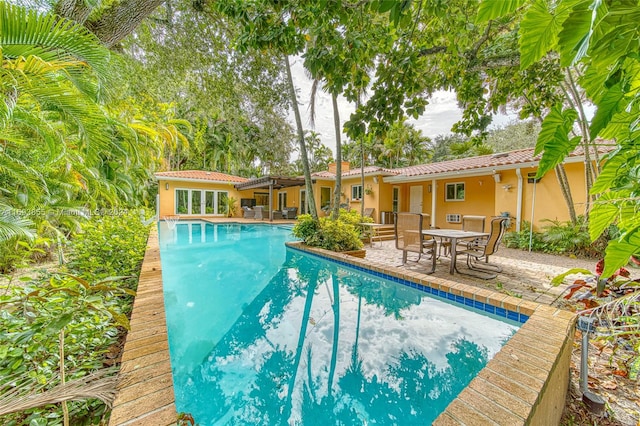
x: 336, y: 235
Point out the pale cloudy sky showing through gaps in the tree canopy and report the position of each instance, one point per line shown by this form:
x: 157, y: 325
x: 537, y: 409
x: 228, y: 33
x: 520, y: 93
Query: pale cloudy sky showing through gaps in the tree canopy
x: 441, y: 113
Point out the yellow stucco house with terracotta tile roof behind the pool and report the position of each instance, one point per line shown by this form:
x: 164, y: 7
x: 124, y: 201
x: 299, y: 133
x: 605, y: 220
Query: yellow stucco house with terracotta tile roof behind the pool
x: 492, y: 185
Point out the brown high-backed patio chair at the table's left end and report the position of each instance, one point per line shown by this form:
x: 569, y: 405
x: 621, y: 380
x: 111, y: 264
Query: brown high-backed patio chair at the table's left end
x: 409, y: 238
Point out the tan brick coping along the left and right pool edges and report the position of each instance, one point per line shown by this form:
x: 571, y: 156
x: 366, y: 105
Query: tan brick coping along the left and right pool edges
x: 525, y: 383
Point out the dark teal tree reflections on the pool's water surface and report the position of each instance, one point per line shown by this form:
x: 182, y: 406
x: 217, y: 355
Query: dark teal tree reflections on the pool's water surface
x: 408, y: 388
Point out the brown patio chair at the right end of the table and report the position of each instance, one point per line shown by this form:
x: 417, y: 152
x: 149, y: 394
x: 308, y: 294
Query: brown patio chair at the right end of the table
x: 480, y: 250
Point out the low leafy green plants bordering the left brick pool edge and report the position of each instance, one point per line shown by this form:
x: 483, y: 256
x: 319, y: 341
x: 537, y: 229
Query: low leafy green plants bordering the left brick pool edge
x: 77, y: 312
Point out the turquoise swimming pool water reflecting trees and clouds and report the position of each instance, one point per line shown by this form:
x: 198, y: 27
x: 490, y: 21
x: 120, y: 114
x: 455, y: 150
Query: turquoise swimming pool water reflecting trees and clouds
x: 264, y: 335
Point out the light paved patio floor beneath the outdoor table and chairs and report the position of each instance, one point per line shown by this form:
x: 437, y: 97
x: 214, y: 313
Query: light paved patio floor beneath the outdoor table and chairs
x: 525, y: 275
